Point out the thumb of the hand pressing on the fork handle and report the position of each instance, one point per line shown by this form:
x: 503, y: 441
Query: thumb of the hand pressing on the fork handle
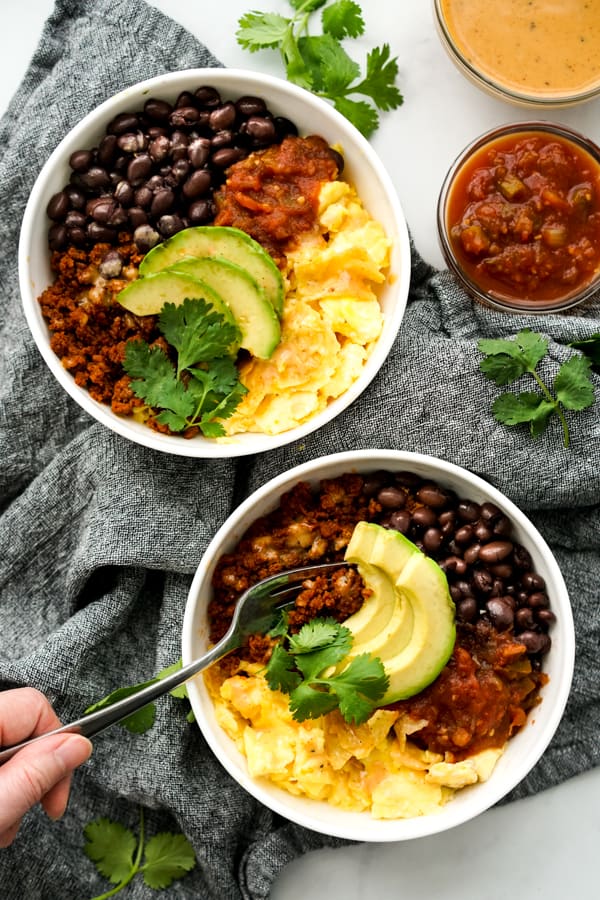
x: 33, y: 771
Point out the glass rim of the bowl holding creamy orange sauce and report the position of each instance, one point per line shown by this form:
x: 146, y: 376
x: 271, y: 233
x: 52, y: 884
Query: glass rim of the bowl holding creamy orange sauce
x: 493, y: 86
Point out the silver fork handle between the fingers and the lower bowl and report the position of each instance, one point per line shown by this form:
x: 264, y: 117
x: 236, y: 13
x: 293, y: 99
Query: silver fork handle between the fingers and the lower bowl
x: 96, y: 722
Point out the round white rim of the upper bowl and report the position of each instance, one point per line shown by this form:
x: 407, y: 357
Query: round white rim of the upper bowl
x: 224, y: 78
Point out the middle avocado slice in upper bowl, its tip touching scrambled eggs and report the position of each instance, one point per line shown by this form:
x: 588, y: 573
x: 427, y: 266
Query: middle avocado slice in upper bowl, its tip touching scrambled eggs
x: 252, y: 311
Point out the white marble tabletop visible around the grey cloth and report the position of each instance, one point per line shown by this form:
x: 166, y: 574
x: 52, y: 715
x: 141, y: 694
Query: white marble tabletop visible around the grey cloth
x: 542, y: 847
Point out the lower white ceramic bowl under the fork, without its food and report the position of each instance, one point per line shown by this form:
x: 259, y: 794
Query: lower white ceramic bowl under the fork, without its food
x: 523, y: 750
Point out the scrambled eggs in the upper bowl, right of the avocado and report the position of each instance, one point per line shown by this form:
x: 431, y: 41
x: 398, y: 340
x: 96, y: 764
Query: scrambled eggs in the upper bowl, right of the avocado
x: 330, y: 321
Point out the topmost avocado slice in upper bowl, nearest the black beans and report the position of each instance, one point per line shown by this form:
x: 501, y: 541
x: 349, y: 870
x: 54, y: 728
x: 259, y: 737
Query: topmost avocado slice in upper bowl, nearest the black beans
x: 220, y: 240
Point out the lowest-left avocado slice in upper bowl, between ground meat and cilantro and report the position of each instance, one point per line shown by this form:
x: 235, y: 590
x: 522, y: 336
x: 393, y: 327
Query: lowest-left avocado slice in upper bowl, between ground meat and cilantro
x: 147, y: 296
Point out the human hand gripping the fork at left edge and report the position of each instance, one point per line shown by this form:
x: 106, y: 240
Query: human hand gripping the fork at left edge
x: 41, y: 772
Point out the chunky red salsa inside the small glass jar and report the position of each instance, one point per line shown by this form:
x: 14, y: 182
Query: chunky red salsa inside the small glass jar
x: 523, y: 218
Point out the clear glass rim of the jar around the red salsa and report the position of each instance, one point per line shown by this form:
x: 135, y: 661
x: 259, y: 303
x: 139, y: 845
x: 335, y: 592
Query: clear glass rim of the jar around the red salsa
x: 499, y: 301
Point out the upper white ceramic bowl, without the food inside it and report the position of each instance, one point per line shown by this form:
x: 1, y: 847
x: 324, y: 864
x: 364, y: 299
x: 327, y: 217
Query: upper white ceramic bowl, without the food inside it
x: 312, y: 116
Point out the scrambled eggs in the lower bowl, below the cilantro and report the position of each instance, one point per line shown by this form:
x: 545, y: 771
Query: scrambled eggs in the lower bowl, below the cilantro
x: 370, y: 767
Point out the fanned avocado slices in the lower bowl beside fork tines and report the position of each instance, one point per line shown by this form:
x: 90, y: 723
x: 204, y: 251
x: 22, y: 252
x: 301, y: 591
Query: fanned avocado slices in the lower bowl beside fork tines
x: 413, y: 632
